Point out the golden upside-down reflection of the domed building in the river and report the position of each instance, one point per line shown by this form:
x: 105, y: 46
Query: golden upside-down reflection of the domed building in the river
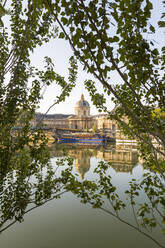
x: 121, y: 160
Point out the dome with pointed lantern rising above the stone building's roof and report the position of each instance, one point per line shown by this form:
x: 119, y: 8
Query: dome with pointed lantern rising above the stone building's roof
x: 82, y: 107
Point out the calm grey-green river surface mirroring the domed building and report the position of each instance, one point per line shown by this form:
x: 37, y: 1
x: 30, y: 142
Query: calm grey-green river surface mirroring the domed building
x: 65, y: 222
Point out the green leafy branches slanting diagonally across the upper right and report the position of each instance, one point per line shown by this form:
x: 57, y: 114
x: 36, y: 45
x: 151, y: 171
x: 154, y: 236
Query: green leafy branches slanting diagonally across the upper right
x: 103, y: 40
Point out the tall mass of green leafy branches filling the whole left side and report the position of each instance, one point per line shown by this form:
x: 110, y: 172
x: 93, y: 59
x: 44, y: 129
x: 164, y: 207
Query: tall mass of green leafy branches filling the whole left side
x: 23, y: 151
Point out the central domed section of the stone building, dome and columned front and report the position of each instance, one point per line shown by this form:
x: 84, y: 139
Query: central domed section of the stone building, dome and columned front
x: 82, y: 119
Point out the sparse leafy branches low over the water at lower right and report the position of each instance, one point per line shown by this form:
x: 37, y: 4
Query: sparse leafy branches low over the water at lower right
x: 146, y: 214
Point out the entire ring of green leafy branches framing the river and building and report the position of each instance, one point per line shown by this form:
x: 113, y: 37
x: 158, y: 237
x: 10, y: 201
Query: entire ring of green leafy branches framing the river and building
x: 103, y: 40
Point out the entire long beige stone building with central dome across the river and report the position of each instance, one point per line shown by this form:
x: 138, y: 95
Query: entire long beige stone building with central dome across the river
x: 81, y: 120
